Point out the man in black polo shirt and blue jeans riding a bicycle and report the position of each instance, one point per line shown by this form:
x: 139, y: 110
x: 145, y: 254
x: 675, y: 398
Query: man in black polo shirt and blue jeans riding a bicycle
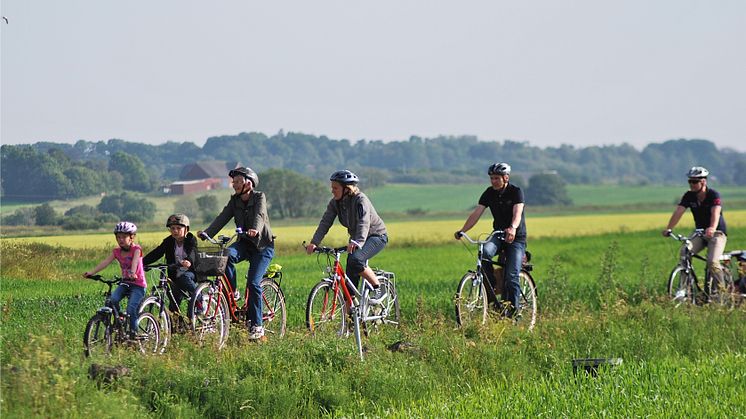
x: 506, y: 203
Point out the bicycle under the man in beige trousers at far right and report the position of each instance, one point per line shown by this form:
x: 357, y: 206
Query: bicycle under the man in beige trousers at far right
x: 685, y: 288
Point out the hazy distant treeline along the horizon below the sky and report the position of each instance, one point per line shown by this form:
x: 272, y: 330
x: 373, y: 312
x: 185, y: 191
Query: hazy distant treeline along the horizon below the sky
x: 417, y: 160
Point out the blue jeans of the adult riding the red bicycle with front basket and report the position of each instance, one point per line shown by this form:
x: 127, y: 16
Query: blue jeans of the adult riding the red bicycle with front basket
x: 259, y: 261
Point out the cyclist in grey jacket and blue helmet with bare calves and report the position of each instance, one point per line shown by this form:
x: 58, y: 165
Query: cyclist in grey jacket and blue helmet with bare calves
x: 366, y: 229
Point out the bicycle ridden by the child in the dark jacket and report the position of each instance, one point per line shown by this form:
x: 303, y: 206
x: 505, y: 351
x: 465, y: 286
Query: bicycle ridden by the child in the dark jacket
x: 161, y: 303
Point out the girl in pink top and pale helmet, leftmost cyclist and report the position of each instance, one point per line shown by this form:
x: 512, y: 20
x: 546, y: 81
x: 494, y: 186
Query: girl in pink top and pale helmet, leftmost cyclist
x: 129, y: 256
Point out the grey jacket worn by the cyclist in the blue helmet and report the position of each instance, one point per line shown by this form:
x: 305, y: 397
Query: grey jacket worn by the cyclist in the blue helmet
x: 356, y: 213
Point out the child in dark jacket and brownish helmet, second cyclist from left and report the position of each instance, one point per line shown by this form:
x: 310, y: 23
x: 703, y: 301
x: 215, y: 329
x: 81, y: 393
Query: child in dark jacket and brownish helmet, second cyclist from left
x: 180, y: 251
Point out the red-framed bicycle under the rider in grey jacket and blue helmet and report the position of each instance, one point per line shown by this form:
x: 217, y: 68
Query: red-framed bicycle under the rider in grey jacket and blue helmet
x: 330, y: 299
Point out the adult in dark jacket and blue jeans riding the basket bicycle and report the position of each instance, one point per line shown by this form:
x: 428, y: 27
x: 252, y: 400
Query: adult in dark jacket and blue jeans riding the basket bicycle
x: 248, y: 208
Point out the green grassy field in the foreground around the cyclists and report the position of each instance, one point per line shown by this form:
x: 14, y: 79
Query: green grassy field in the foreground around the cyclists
x: 600, y: 295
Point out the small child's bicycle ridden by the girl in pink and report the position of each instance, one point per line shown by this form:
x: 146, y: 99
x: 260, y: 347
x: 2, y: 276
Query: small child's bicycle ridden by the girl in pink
x: 109, y: 327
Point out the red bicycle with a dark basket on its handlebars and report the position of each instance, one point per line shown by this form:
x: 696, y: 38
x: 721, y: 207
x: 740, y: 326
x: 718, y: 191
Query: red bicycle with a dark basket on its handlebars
x: 213, y: 306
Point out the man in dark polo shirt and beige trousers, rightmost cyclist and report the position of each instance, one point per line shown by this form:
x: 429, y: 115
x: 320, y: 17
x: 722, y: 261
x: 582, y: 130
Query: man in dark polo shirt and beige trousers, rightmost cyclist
x: 707, y: 210
